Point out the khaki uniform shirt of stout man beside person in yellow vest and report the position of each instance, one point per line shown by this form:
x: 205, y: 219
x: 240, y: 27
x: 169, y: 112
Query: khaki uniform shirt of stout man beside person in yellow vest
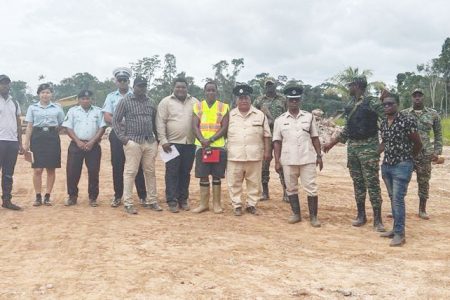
x: 246, y: 135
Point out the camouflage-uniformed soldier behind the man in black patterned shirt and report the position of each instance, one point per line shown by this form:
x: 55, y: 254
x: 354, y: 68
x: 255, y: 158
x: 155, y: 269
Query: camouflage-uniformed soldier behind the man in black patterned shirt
x: 427, y: 119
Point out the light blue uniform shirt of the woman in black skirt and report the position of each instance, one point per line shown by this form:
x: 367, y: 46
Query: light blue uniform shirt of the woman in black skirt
x: 50, y: 116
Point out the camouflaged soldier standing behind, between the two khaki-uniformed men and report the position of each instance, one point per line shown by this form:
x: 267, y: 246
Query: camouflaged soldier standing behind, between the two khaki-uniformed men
x: 272, y: 105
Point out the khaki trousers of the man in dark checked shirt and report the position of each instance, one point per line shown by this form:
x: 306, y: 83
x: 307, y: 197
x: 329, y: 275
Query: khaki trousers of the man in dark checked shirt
x: 136, y: 154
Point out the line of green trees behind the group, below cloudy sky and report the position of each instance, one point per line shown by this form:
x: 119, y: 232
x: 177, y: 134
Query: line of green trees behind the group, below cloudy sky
x: 330, y: 96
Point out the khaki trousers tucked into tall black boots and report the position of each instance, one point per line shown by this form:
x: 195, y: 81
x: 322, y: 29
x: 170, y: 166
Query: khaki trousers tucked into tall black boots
x: 307, y: 174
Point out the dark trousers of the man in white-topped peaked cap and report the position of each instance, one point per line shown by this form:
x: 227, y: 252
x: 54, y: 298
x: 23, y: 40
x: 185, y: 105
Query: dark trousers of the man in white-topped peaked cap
x: 118, y: 164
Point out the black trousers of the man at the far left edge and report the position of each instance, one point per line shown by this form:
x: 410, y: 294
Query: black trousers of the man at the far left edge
x: 8, y: 158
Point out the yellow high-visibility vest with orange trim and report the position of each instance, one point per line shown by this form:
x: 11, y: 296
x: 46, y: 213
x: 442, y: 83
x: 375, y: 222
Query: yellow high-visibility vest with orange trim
x: 210, y: 119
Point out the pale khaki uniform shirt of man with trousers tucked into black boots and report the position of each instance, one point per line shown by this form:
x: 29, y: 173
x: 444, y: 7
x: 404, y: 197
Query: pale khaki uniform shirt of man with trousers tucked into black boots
x: 295, y: 133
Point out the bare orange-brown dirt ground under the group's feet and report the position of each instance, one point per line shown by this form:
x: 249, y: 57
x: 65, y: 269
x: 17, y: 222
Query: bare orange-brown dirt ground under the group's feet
x: 102, y: 253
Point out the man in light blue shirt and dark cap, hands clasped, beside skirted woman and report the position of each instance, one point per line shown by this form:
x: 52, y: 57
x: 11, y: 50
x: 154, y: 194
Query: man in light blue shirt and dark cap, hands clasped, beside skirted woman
x: 85, y: 126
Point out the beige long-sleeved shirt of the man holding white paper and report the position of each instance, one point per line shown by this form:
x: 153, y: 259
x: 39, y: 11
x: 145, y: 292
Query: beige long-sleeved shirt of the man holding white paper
x: 174, y: 120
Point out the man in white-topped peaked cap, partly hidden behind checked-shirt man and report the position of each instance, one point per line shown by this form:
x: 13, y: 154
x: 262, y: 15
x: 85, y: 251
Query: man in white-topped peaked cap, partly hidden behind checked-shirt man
x: 122, y: 76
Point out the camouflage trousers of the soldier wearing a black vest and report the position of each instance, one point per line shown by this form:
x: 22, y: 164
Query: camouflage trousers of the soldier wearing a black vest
x: 363, y: 163
